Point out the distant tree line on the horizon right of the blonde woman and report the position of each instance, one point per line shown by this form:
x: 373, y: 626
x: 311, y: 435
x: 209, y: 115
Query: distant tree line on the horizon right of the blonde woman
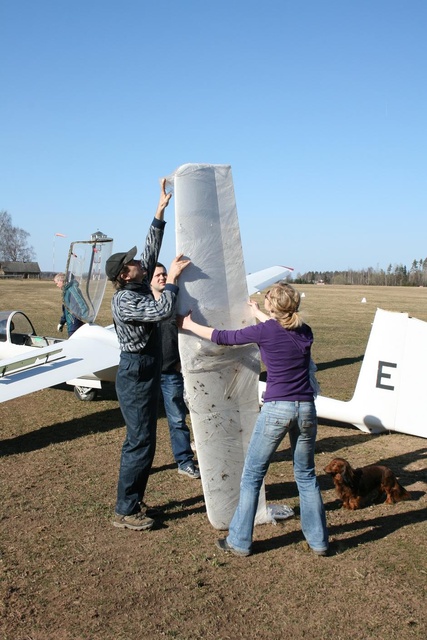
x: 394, y: 275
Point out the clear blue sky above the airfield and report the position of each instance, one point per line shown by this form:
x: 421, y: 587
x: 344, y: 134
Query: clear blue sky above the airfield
x: 319, y: 106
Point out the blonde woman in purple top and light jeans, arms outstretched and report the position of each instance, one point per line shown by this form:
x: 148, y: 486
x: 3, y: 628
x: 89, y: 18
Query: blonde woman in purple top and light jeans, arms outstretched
x: 285, y: 346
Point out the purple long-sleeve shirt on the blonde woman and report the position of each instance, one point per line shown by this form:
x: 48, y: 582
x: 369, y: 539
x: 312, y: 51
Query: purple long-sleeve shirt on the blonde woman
x: 285, y: 353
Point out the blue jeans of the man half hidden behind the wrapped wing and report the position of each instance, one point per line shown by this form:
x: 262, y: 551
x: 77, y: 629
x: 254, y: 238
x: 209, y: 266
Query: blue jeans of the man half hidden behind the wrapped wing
x: 172, y: 385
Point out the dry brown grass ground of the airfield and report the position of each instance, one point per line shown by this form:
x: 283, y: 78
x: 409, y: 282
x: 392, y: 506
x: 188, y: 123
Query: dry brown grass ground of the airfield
x: 67, y: 574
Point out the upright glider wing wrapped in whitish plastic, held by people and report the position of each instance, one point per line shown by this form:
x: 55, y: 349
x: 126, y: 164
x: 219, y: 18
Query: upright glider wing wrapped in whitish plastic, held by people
x: 221, y: 382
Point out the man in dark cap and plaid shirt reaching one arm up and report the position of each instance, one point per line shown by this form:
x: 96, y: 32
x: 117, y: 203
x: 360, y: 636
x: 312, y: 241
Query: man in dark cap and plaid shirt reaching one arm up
x: 136, y: 317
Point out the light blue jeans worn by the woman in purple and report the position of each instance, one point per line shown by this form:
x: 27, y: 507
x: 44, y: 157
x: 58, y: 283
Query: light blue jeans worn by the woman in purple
x: 275, y: 420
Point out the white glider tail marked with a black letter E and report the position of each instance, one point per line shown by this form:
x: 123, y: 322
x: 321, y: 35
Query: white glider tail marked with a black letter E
x: 392, y: 382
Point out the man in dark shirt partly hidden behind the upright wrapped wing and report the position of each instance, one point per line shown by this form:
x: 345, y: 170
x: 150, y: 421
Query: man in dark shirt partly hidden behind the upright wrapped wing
x: 172, y: 385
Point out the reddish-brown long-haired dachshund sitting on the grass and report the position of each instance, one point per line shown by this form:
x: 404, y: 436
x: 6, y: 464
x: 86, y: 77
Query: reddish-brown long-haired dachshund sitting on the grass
x: 357, y: 487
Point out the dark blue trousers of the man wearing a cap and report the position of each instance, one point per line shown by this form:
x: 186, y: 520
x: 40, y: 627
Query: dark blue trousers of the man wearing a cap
x: 138, y: 388
